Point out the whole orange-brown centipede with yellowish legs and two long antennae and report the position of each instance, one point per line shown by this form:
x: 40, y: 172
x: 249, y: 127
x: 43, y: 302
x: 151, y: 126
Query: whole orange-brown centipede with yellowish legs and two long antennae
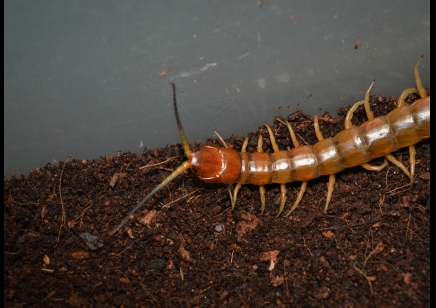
x: 405, y: 126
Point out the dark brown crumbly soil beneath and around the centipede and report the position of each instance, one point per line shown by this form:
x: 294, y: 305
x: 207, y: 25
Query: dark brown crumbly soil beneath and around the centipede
x: 187, y: 248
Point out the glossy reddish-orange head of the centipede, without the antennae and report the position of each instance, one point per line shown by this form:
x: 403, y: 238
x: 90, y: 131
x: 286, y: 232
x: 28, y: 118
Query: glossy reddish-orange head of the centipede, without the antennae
x: 213, y: 164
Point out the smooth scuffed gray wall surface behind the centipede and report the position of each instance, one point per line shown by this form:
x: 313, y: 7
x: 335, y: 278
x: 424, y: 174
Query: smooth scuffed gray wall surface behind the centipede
x: 82, y: 77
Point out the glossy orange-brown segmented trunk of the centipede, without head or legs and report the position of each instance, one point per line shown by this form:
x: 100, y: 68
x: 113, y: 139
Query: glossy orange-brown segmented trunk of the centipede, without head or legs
x: 402, y: 127
